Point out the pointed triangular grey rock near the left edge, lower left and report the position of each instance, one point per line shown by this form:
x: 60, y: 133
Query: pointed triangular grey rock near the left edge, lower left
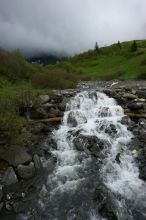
x: 9, y: 176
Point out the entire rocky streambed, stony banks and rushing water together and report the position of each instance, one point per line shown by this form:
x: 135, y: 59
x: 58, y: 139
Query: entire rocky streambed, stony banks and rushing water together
x: 60, y: 176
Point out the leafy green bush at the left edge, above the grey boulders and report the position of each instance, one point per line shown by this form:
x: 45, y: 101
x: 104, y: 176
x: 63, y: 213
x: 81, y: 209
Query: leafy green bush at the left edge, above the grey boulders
x: 13, y: 128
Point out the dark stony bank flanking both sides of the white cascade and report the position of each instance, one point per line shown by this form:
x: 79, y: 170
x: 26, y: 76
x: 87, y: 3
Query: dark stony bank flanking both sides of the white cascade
x: 30, y: 175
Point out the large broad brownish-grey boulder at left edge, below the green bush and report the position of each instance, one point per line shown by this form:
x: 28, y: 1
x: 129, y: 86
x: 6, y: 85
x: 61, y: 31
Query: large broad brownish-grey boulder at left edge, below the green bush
x: 15, y: 155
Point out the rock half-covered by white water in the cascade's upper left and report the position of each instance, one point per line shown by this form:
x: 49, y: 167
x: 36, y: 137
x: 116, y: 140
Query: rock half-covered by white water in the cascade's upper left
x: 75, y: 118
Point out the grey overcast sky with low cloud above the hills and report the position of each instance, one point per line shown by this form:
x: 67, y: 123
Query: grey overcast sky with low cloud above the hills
x: 69, y: 26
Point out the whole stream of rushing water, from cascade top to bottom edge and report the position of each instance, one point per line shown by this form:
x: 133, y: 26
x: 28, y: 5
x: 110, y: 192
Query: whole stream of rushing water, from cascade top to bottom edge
x: 105, y: 164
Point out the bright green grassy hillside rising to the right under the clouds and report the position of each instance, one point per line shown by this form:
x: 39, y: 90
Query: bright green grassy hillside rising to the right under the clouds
x: 115, y: 61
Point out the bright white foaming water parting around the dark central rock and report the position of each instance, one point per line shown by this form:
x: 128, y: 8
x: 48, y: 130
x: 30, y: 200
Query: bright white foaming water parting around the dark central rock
x: 95, y: 114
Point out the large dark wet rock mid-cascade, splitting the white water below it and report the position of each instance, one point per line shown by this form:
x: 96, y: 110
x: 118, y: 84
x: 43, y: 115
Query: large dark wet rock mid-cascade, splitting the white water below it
x: 89, y: 144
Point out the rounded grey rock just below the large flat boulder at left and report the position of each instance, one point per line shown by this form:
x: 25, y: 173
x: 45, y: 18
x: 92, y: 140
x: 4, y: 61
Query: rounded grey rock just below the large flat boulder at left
x: 26, y: 171
